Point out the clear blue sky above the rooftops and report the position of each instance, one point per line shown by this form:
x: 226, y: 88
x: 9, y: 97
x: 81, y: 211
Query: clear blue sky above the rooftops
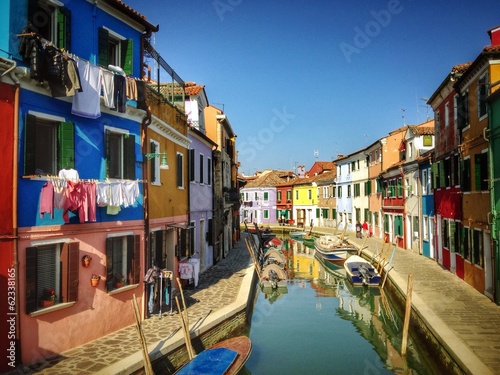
x: 297, y: 76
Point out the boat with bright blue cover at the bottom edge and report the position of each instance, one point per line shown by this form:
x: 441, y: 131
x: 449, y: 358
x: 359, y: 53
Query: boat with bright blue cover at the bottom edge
x: 226, y: 357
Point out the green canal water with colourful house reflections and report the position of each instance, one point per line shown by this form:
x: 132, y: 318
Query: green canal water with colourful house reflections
x: 322, y: 325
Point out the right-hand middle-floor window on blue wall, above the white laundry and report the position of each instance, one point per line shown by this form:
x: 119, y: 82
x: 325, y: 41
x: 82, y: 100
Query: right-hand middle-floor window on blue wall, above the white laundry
x: 120, y: 154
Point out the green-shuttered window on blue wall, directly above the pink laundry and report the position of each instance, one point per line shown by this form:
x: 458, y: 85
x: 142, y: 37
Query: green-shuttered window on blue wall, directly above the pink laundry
x: 49, y: 144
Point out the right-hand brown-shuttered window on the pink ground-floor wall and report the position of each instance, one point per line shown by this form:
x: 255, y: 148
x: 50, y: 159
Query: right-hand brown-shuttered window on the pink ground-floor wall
x: 122, y: 261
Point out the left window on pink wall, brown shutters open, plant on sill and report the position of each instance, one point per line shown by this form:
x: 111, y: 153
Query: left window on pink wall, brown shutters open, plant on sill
x: 54, y: 268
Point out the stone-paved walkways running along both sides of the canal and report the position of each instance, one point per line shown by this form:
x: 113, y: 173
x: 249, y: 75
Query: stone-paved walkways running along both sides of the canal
x: 466, y: 323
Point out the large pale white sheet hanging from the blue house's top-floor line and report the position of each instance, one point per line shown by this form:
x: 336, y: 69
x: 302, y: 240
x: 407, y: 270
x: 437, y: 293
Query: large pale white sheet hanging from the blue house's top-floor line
x: 88, y: 103
